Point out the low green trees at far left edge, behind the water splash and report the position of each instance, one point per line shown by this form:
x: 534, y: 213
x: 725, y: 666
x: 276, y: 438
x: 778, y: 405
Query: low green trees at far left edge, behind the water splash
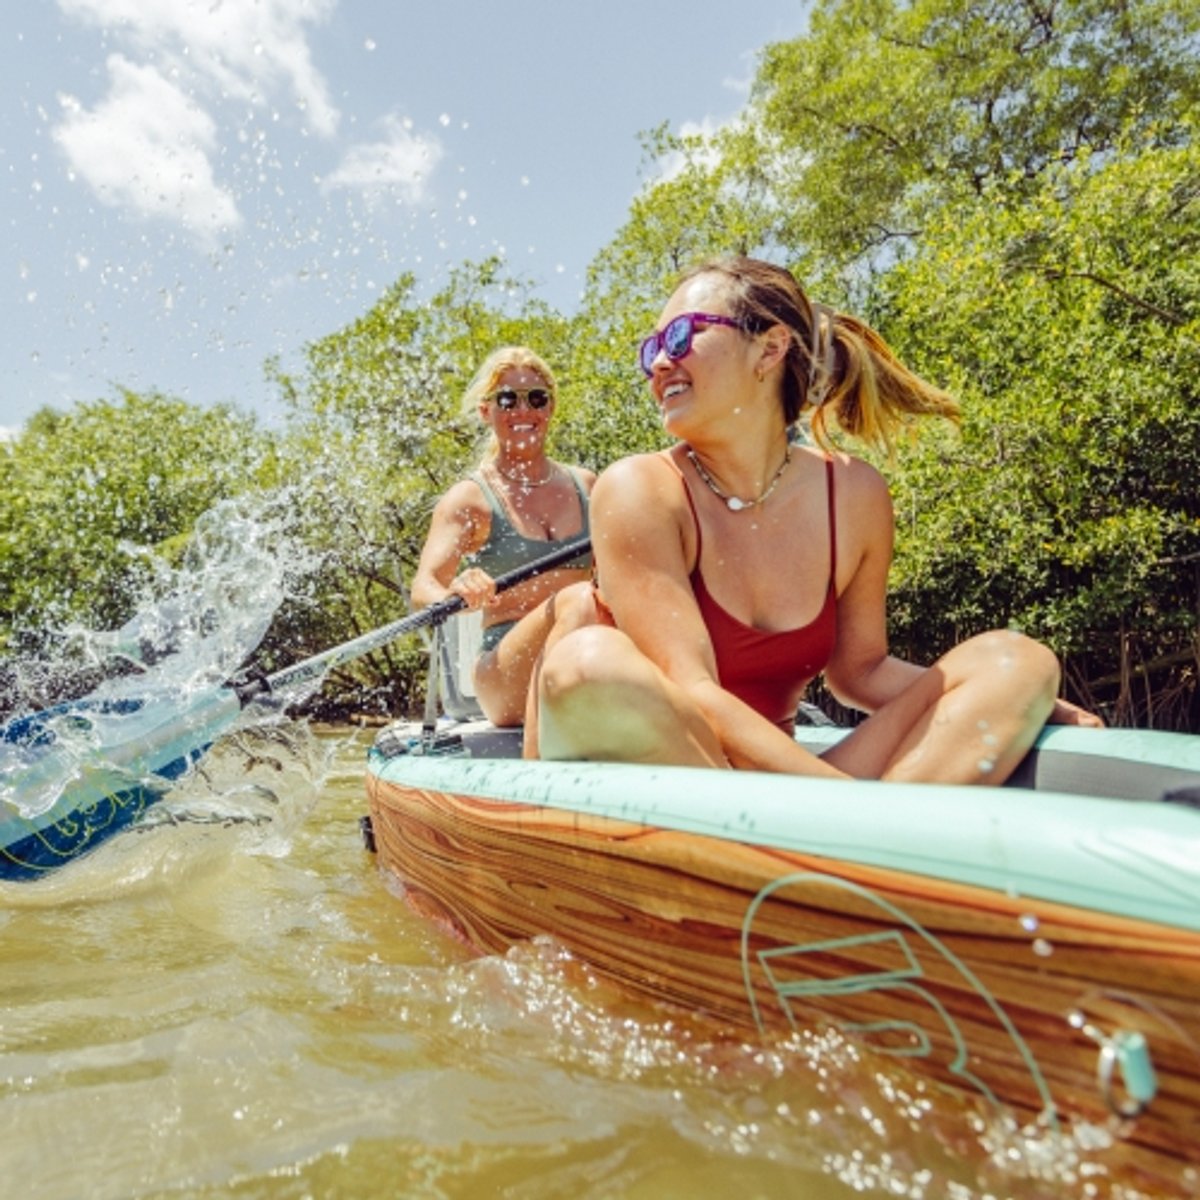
x: 87, y: 494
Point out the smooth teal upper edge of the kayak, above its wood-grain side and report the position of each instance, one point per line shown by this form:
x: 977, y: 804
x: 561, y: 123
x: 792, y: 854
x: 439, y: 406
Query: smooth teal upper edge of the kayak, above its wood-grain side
x: 1137, y: 859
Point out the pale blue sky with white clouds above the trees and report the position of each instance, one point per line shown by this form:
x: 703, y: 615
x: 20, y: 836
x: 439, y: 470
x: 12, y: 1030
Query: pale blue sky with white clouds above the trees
x: 194, y: 187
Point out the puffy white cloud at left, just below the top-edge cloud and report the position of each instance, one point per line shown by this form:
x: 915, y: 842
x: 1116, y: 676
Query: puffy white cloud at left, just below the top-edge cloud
x: 147, y: 147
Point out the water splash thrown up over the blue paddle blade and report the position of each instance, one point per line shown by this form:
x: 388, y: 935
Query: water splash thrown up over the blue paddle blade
x: 161, y: 698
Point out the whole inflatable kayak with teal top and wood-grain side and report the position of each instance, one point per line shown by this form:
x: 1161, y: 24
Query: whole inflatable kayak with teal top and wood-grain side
x: 1036, y: 946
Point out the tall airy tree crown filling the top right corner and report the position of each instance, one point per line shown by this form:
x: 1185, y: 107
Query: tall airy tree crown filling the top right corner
x: 889, y: 110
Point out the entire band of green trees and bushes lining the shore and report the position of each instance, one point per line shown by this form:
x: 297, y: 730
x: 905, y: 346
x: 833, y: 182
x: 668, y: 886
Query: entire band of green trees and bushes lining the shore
x: 1013, y: 202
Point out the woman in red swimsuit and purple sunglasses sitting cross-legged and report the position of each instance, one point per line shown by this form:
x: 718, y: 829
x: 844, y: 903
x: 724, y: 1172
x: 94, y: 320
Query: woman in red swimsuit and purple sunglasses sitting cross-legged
x: 739, y: 566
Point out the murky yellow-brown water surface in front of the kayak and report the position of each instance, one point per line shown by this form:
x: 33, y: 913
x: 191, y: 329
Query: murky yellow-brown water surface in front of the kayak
x: 237, y: 1004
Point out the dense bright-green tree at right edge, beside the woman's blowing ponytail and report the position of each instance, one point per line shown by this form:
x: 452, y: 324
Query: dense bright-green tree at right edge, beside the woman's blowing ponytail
x: 1069, y: 321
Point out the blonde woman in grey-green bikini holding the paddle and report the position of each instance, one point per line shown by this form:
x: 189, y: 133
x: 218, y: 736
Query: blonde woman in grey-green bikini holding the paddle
x: 515, y: 508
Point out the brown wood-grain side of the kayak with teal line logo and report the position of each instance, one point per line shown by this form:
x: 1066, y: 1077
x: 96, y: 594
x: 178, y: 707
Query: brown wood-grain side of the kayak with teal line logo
x: 1047, y: 1009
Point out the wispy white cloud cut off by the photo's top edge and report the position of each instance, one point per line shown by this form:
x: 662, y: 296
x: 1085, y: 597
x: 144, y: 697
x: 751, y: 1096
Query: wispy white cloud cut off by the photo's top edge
x: 247, y: 50
